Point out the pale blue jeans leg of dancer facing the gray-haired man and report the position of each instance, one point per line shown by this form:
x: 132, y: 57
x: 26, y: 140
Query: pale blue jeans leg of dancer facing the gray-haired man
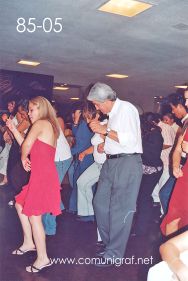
x: 85, y: 193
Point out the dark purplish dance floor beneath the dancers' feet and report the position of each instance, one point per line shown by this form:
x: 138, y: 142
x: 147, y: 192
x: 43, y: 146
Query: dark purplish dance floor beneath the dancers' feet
x: 74, y: 239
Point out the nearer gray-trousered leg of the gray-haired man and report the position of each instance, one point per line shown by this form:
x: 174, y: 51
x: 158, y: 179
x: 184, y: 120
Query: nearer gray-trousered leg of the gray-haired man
x: 126, y: 183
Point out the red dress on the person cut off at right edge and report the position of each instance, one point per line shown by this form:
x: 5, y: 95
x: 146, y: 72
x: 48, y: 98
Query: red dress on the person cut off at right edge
x: 178, y: 206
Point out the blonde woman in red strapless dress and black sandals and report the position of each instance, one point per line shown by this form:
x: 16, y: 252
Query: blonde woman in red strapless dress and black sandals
x: 42, y: 194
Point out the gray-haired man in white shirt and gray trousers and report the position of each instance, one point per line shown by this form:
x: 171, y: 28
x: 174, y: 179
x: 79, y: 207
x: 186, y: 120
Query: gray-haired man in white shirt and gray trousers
x: 119, y: 182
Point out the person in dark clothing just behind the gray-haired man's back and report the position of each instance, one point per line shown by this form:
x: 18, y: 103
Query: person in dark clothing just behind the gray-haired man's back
x: 152, y: 142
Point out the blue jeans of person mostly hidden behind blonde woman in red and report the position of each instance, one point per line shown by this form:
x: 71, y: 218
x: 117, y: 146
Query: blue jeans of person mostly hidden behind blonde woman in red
x: 49, y: 221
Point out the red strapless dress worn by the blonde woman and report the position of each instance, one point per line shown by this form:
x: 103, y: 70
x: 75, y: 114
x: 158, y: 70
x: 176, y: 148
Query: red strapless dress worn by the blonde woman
x: 42, y: 193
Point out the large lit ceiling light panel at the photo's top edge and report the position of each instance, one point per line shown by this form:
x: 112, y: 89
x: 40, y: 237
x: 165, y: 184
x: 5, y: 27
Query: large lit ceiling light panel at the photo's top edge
x: 127, y: 8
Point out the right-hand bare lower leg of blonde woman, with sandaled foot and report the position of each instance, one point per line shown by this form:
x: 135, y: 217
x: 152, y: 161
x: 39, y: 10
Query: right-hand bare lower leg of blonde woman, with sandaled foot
x: 40, y: 242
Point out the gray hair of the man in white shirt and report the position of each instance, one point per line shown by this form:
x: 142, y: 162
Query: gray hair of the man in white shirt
x: 101, y: 92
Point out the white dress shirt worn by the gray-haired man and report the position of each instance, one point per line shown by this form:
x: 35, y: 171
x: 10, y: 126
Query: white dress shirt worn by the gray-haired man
x: 124, y: 119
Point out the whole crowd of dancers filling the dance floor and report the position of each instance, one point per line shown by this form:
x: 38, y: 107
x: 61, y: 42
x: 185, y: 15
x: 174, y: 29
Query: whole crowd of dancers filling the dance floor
x: 119, y: 166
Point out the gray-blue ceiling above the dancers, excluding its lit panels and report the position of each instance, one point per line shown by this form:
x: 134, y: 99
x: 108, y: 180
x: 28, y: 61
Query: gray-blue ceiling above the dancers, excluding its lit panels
x: 152, y: 47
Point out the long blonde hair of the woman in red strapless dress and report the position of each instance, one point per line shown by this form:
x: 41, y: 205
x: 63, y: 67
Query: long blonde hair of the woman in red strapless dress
x: 46, y: 112
